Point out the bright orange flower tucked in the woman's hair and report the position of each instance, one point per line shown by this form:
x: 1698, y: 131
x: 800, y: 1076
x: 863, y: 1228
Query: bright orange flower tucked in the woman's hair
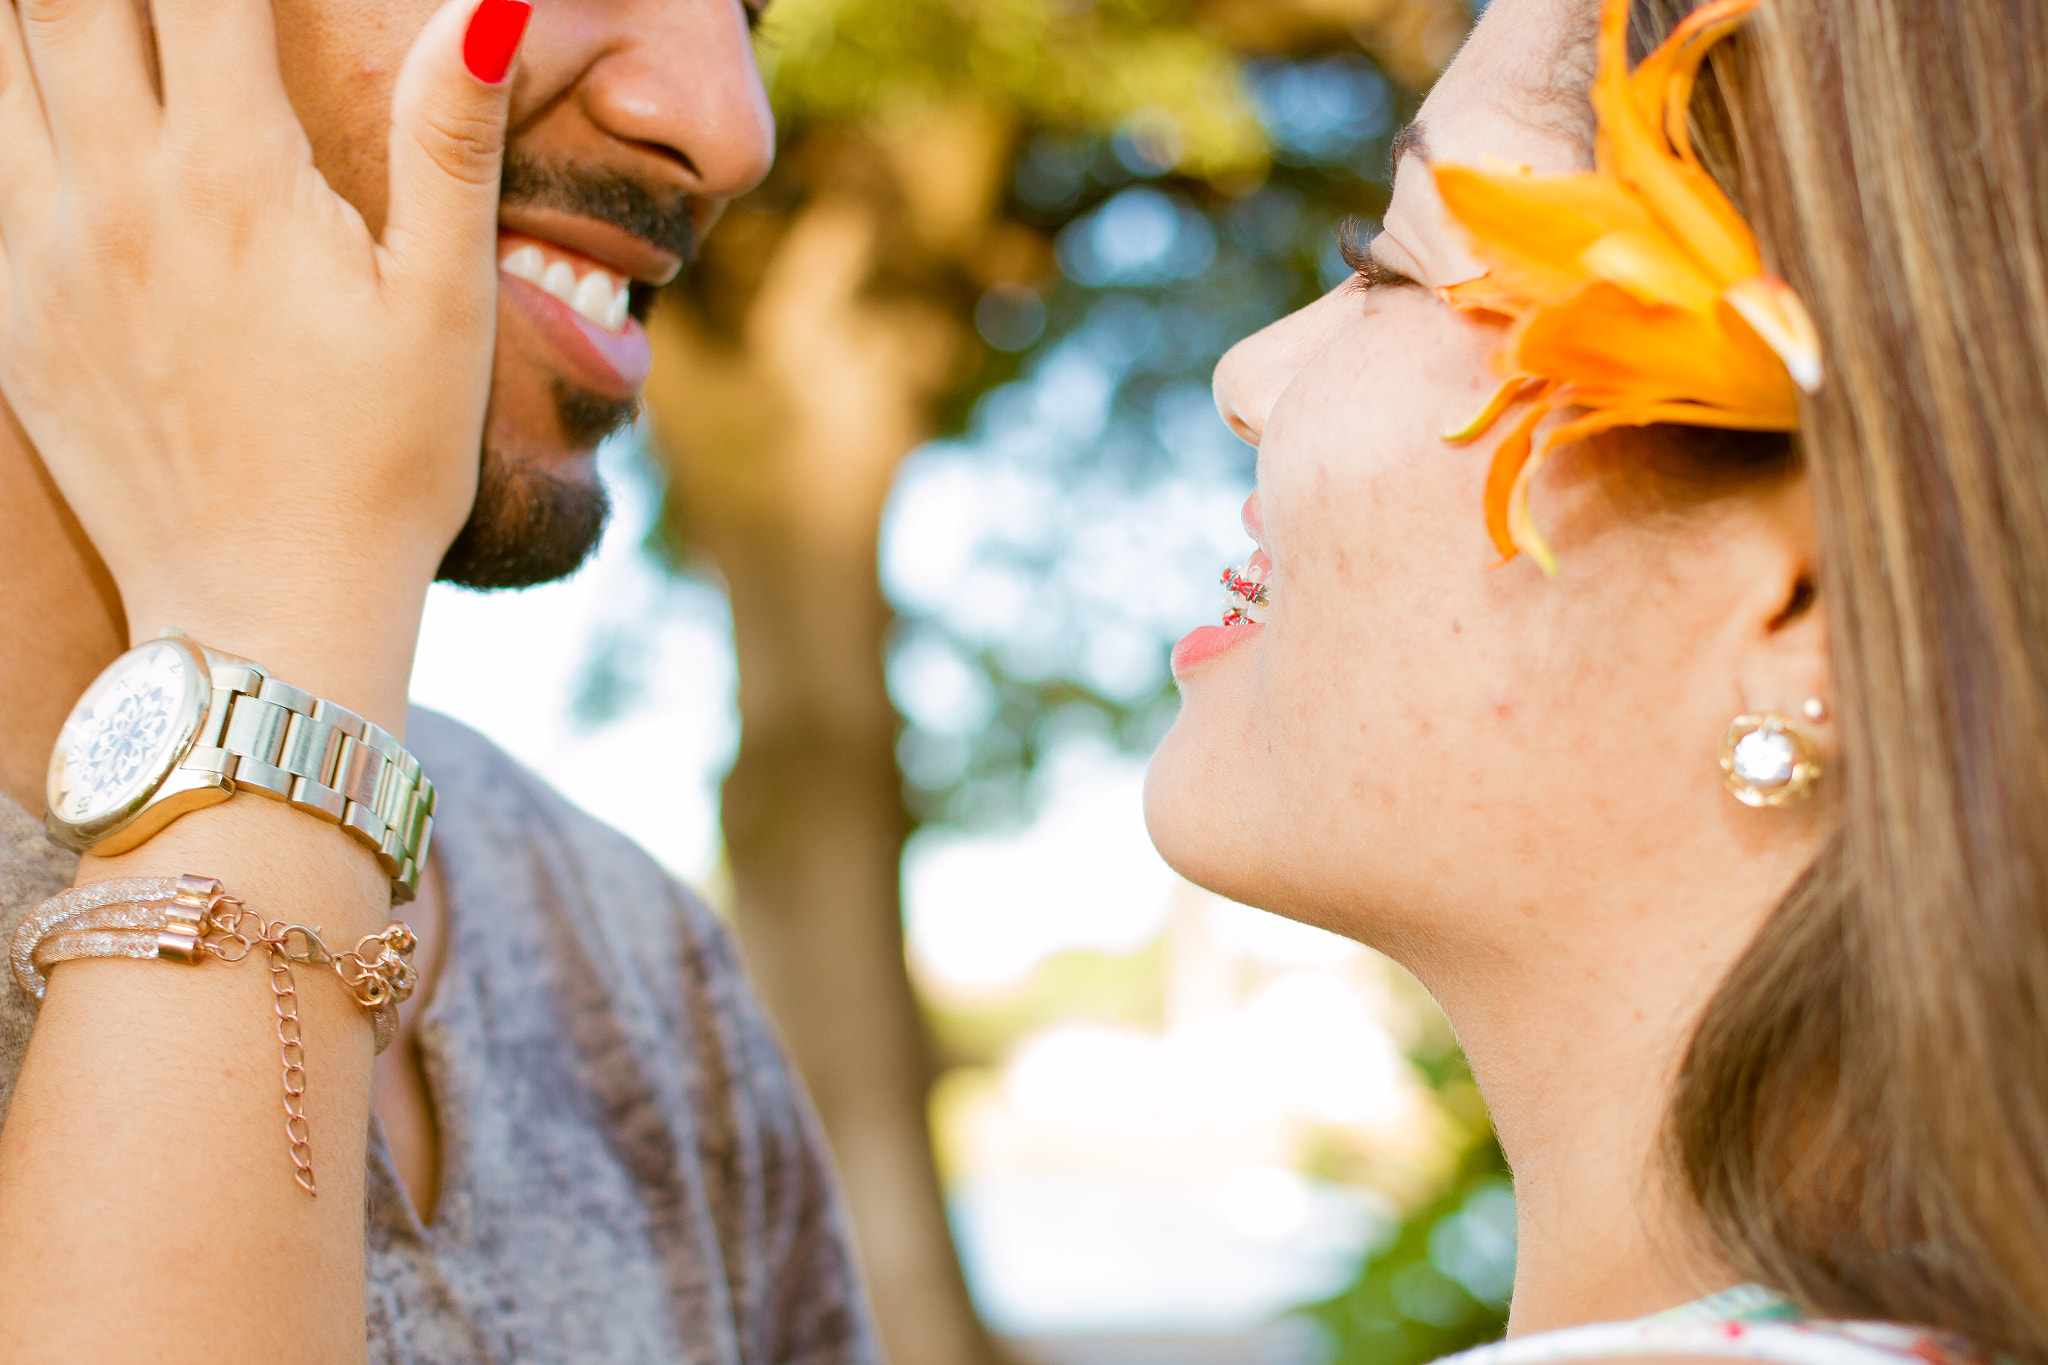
x: 1633, y: 294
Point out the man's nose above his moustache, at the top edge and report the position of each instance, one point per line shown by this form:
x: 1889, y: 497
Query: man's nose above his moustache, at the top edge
x: 677, y: 81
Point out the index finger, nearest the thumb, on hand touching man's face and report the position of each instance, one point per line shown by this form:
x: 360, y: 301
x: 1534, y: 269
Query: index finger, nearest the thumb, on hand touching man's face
x: 220, y: 69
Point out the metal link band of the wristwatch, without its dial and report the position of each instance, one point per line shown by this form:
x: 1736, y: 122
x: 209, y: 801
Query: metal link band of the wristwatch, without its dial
x: 321, y: 758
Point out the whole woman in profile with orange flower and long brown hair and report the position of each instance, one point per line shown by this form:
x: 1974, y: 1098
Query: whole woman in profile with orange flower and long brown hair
x: 1648, y: 648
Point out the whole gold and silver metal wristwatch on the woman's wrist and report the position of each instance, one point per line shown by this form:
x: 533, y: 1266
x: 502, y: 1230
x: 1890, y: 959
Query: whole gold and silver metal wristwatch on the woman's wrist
x: 173, y: 728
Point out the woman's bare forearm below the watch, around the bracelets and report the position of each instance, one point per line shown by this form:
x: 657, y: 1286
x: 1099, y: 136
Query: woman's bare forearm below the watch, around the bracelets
x: 146, y: 1192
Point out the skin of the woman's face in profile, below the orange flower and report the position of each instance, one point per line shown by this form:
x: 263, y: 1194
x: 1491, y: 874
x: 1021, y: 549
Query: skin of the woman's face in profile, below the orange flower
x: 1426, y: 748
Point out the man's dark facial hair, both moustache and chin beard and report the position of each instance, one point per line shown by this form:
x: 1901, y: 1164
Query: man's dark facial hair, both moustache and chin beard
x: 534, y: 527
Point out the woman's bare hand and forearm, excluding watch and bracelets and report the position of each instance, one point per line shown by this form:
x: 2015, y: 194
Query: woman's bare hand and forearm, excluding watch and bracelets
x: 267, y: 421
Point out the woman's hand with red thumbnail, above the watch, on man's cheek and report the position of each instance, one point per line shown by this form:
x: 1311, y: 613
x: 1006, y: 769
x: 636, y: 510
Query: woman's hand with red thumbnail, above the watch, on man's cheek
x: 265, y: 419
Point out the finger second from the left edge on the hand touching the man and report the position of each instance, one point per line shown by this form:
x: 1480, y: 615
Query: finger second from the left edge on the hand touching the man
x: 91, y: 64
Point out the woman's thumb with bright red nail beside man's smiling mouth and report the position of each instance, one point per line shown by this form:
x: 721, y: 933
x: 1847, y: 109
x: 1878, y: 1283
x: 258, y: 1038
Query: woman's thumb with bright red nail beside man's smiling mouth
x: 447, y: 142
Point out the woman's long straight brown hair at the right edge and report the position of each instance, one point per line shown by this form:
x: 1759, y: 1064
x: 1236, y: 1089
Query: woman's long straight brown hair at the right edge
x: 1863, y: 1114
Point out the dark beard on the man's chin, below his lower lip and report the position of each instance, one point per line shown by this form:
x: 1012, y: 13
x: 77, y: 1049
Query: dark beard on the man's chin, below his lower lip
x: 534, y: 527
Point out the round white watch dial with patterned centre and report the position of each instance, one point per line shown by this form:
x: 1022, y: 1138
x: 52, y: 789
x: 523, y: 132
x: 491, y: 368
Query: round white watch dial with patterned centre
x: 124, y: 736
